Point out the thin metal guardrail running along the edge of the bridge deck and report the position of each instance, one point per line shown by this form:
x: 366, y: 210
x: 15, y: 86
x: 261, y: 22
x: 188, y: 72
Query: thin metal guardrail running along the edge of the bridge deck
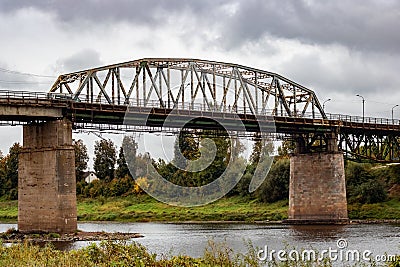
x: 64, y: 97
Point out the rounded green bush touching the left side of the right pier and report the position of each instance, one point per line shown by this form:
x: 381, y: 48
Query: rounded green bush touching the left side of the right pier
x: 276, y: 185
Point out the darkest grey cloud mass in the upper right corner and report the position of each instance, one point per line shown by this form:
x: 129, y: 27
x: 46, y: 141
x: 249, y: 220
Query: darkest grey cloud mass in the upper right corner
x: 366, y: 25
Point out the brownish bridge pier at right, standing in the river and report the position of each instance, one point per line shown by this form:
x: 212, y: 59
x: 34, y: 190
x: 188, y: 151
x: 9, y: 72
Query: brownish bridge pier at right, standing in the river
x: 317, y: 189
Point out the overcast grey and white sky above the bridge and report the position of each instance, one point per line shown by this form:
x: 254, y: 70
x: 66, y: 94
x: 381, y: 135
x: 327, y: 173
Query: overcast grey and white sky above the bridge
x: 337, y: 48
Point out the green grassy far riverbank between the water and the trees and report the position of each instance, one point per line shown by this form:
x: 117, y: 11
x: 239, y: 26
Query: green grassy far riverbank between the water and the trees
x: 144, y: 208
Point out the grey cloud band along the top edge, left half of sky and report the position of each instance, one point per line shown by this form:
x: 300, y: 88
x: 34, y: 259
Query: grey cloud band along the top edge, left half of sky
x: 146, y: 12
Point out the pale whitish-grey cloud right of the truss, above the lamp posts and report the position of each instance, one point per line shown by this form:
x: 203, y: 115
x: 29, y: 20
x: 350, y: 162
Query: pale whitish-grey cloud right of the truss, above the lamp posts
x: 345, y: 74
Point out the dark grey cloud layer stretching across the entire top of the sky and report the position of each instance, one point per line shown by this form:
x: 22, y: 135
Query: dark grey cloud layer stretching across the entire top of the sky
x: 359, y: 24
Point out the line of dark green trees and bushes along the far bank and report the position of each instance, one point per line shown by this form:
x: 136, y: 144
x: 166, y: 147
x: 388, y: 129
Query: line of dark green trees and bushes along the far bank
x: 123, y: 172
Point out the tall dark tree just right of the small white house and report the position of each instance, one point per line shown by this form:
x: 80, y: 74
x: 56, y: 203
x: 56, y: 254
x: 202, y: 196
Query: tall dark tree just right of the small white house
x: 105, y: 159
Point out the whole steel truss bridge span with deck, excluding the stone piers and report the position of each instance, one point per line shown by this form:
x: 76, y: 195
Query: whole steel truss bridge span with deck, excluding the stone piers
x: 141, y: 95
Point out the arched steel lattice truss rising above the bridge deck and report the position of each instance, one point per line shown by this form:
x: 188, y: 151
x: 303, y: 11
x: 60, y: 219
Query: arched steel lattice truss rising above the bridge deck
x: 191, y: 84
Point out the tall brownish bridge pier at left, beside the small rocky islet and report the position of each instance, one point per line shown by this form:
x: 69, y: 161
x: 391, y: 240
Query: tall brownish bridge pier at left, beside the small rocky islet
x: 46, y: 179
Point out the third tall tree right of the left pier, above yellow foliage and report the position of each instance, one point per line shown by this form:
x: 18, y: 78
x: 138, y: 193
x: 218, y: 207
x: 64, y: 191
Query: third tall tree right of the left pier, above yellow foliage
x: 127, y: 152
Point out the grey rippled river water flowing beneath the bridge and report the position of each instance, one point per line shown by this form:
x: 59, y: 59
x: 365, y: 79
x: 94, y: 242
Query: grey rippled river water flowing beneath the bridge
x: 192, y: 238
